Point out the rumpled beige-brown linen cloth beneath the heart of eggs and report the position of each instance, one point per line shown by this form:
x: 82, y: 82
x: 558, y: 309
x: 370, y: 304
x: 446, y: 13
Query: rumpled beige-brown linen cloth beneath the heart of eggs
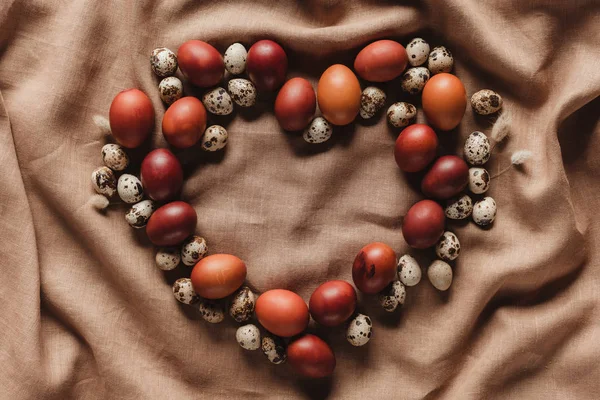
x: 85, y: 313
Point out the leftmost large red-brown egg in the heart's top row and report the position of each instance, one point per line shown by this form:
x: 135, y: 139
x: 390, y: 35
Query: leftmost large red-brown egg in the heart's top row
x: 201, y: 63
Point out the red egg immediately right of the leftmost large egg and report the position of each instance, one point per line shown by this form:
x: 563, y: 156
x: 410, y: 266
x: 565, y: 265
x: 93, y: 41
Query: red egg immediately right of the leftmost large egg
x: 184, y: 122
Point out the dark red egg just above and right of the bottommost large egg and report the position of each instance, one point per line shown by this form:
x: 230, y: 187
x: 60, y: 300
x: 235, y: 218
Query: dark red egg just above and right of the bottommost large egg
x: 332, y: 303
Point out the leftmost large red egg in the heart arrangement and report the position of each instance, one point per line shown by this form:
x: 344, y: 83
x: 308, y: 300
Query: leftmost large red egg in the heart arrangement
x: 131, y: 118
